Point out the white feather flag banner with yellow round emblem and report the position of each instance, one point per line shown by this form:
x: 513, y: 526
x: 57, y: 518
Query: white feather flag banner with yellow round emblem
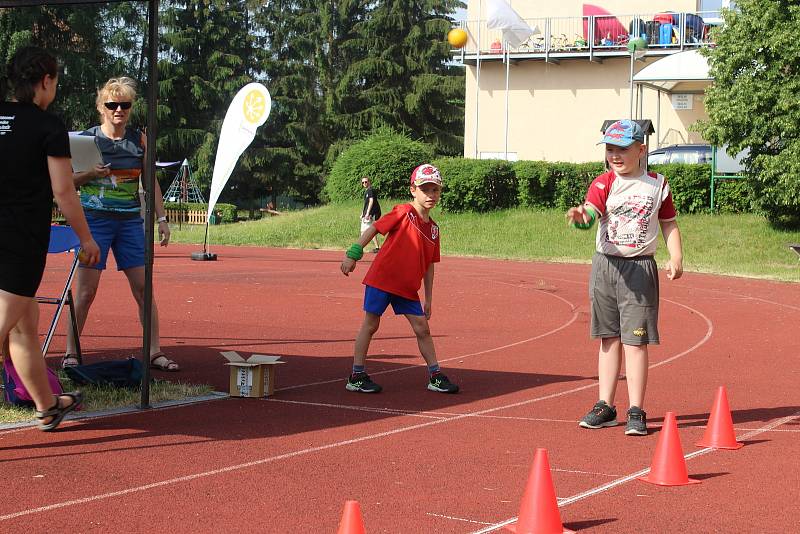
x: 248, y: 110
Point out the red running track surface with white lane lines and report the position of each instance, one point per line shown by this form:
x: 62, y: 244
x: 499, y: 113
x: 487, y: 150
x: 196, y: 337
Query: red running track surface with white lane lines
x: 513, y: 335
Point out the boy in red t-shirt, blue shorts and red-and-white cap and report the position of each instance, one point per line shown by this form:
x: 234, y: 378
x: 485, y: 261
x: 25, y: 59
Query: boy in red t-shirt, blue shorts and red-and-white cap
x: 405, y: 261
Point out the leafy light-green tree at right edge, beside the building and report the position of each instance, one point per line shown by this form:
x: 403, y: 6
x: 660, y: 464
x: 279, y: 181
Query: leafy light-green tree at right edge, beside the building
x: 753, y: 103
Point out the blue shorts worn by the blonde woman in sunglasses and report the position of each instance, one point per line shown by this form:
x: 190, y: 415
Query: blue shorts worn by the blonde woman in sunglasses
x: 124, y: 236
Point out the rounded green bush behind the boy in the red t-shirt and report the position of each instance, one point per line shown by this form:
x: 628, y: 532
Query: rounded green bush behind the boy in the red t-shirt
x: 386, y: 157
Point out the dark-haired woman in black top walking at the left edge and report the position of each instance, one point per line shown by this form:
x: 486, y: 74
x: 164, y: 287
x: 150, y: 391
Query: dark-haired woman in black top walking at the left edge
x: 34, y: 167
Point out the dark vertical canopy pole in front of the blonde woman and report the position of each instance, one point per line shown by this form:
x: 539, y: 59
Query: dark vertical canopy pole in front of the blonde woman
x: 150, y: 180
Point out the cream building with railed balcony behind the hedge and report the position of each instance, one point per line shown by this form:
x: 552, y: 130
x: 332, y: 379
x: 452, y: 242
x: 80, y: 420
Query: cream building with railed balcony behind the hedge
x: 547, y: 98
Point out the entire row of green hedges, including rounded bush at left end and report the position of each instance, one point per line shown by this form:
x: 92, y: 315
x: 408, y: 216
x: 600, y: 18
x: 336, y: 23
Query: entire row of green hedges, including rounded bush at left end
x: 485, y: 185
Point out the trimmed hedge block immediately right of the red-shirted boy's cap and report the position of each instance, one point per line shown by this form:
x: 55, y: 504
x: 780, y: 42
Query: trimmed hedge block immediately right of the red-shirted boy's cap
x: 477, y: 185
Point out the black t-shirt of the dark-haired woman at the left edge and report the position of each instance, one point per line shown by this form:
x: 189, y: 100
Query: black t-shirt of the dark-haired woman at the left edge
x: 28, y: 135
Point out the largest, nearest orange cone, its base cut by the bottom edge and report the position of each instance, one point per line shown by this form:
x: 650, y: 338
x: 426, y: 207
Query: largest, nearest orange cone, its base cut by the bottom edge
x: 538, y: 512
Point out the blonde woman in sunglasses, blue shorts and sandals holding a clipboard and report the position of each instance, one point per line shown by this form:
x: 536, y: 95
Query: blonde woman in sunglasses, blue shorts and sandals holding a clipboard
x: 110, y: 197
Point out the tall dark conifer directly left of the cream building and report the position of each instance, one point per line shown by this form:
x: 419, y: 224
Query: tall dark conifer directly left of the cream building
x: 404, y: 81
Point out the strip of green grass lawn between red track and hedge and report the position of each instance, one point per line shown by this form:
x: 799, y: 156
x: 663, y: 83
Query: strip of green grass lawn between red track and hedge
x: 740, y: 244
